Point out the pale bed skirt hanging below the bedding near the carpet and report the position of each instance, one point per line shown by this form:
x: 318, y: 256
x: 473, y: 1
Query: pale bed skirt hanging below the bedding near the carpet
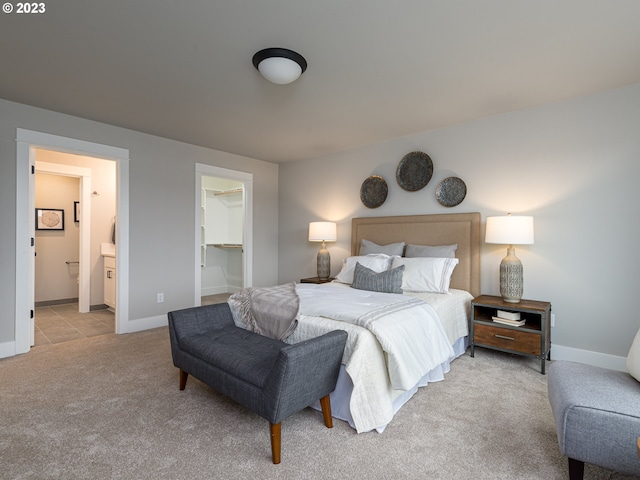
x: 341, y: 396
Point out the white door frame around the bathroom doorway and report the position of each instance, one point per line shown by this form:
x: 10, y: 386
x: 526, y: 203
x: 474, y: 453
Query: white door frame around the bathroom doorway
x: 26, y: 143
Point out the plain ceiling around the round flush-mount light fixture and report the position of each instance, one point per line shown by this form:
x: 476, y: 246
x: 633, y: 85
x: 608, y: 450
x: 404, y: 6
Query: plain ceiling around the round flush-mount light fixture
x: 378, y: 69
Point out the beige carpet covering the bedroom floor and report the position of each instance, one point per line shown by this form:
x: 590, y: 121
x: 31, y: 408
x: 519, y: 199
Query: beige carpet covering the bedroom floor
x: 110, y: 407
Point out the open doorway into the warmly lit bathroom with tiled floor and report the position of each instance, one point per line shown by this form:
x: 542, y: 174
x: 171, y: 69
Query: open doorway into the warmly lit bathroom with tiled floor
x: 69, y: 282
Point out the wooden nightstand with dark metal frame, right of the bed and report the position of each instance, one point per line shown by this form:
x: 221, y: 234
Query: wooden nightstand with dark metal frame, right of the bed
x: 533, y: 339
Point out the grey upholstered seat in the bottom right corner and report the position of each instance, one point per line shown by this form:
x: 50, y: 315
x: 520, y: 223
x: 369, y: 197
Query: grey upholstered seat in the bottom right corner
x: 597, y: 416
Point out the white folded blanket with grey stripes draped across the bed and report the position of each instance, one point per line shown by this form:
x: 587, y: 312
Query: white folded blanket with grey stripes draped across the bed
x: 407, y: 329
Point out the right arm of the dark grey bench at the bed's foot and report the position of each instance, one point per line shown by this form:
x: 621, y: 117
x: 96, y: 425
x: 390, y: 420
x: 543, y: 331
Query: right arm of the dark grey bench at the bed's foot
x: 303, y: 373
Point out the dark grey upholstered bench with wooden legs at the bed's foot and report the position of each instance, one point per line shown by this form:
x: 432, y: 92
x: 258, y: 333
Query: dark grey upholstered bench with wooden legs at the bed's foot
x: 267, y: 376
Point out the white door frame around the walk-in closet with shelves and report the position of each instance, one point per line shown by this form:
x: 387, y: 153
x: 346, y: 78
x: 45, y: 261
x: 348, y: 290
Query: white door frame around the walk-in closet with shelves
x: 247, y: 228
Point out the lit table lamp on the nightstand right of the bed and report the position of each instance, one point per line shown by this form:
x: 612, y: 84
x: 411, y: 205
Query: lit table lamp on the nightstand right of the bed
x: 510, y: 230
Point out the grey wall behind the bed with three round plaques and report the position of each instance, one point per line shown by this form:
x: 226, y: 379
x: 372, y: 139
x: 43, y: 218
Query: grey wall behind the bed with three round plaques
x: 574, y: 166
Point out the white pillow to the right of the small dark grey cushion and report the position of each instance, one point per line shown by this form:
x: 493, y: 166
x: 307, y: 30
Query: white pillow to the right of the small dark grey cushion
x: 426, y: 274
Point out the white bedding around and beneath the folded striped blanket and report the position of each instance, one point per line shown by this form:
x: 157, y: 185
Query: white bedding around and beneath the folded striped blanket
x: 370, y: 403
